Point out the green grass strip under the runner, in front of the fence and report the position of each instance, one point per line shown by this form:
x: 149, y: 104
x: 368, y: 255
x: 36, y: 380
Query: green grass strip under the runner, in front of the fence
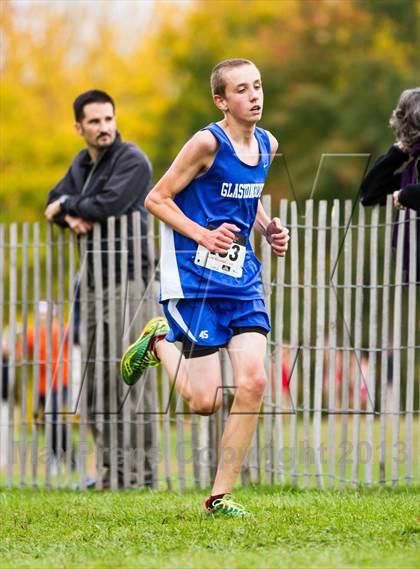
x: 289, y: 528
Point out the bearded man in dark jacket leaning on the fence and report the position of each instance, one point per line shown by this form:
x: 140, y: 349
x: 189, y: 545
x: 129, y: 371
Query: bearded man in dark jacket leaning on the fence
x: 108, y: 178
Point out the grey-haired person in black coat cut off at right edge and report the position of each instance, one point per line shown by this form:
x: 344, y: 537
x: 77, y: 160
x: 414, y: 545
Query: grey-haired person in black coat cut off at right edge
x: 387, y: 176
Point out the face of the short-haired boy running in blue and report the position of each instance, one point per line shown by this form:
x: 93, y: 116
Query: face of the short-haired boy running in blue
x: 244, y: 96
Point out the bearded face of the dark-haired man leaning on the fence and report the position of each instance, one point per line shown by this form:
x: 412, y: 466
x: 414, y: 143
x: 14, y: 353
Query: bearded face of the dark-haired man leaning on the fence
x: 98, y: 126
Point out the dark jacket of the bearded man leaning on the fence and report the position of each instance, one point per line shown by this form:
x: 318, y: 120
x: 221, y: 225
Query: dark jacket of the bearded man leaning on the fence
x: 118, y: 185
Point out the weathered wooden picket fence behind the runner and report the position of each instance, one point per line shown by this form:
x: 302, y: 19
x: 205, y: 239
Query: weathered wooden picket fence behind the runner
x: 342, y: 403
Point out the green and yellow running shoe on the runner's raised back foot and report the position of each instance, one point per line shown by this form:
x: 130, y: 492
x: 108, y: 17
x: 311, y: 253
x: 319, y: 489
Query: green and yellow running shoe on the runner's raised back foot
x: 138, y: 357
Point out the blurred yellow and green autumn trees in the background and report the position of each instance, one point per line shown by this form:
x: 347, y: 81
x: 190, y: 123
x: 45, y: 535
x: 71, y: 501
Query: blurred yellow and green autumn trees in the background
x: 332, y: 73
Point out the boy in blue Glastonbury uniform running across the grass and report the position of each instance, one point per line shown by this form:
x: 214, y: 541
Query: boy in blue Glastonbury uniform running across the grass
x: 211, y: 288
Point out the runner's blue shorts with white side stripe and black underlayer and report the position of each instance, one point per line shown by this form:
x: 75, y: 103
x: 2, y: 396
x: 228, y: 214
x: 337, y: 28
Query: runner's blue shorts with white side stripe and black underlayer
x: 205, y: 325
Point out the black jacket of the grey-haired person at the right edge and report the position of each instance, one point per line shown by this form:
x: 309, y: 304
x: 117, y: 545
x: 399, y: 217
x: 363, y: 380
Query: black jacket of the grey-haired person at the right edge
x: 384, y: 178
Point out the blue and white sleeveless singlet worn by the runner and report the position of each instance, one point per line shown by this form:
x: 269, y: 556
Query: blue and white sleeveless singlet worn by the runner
x: 228, y: 192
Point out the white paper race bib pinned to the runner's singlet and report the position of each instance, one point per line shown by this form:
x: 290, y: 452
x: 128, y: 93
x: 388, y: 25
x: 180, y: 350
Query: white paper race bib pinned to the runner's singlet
x: 230, y: 263
